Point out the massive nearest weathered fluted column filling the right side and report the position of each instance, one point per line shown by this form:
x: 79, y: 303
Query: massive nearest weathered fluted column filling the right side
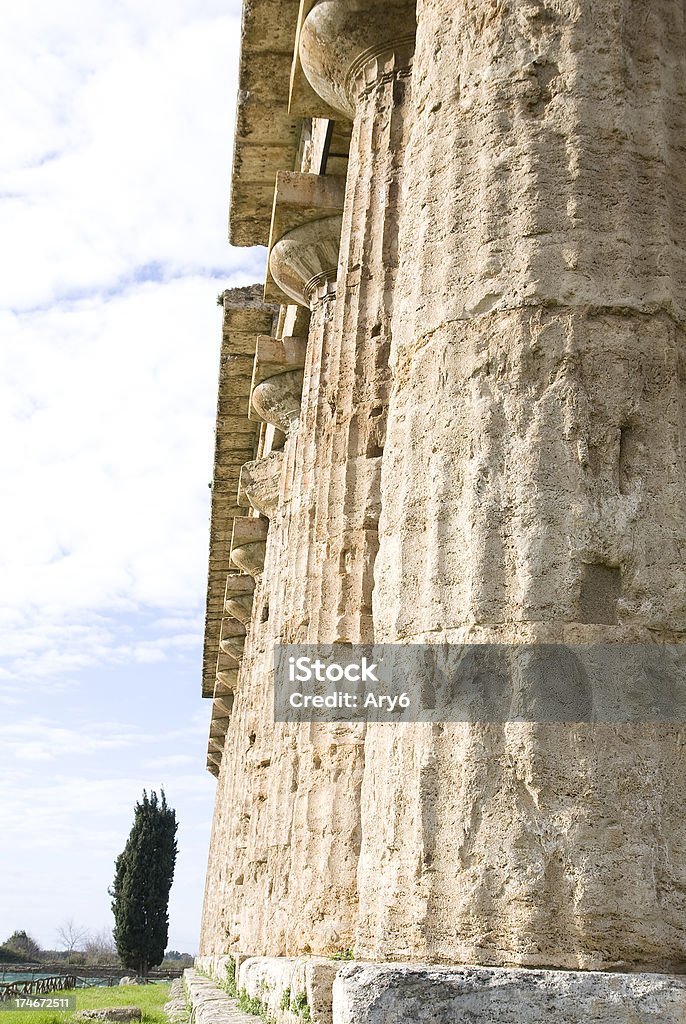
x: 534, y: 483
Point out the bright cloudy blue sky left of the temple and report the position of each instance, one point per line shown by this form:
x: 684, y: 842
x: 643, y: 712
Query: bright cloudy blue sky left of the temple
x: 116, y: 130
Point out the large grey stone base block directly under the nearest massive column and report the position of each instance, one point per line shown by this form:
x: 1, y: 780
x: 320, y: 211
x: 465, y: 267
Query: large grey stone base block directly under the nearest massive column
x: 395, y: 994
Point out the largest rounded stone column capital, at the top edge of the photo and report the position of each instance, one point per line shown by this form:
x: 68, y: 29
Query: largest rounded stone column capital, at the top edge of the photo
x: 348, y: 46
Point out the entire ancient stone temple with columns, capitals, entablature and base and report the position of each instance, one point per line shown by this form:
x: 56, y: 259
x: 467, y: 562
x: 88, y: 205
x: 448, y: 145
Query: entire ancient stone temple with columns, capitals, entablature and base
x: 454, y: 414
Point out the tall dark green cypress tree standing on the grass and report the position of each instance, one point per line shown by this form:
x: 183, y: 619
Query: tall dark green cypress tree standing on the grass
x: 144, y: 874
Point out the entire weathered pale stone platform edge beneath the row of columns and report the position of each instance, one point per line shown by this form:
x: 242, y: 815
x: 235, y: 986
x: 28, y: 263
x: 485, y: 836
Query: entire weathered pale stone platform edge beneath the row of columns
x: 396, y: 994
